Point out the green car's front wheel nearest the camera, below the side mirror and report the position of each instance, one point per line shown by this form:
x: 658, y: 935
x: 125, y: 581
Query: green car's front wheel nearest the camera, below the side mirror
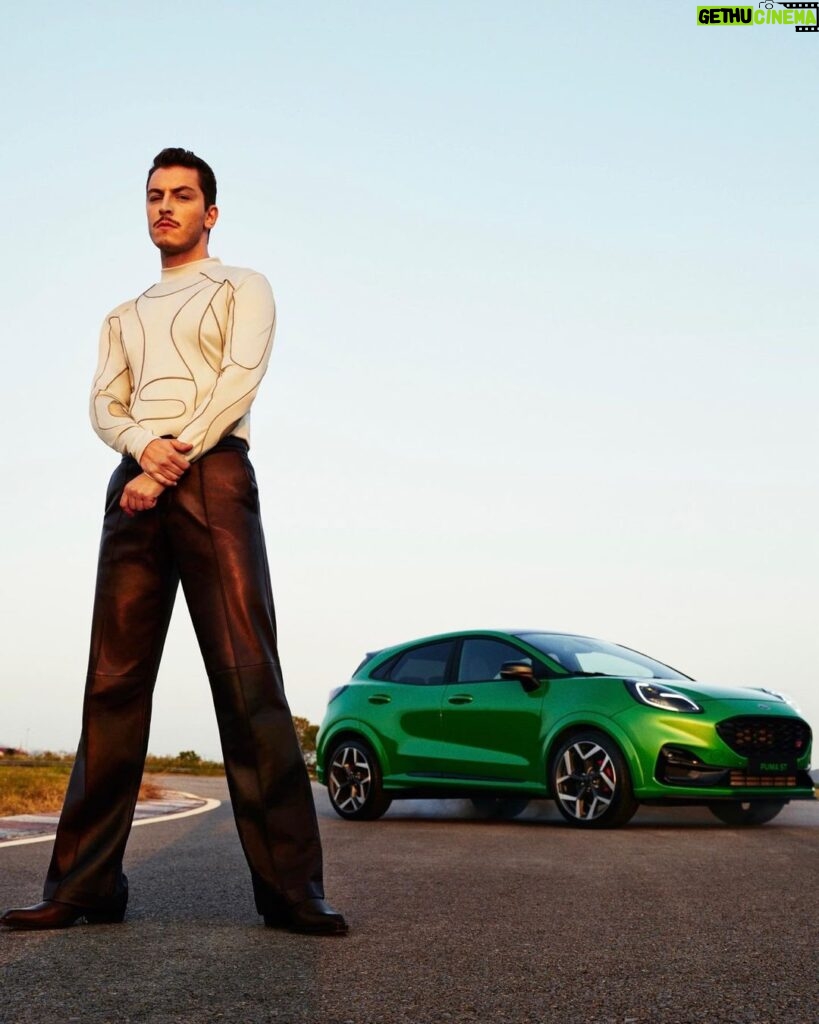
x: 591, y: 784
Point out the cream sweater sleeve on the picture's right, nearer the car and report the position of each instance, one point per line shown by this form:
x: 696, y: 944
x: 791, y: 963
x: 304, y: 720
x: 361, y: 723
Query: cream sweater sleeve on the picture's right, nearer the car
x: 247, y: 352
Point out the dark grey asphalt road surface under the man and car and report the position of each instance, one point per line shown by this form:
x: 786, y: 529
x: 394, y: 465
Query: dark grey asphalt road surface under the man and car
x: 673, y: 920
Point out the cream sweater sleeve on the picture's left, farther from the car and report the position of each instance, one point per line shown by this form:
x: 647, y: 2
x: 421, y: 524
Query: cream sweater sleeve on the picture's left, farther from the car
x: 111, y: 396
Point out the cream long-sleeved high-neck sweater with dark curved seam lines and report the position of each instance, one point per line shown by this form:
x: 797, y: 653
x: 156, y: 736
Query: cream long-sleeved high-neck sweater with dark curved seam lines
x: 185, y: 359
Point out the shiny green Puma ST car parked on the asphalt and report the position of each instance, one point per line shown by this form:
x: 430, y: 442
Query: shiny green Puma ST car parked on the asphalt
x: 507, y: 717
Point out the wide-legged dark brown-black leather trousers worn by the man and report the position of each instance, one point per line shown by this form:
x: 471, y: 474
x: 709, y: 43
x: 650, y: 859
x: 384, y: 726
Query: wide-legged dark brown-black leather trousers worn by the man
x: 207, y: 534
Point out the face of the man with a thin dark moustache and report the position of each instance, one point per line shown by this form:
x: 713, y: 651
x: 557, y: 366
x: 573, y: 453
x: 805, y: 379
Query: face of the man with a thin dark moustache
x: 178, y: 219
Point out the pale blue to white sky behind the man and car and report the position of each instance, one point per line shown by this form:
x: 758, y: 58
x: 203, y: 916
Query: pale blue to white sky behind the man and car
x: 546, y: 353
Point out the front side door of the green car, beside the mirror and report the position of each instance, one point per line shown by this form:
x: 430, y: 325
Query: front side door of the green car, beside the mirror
x: 492, y: 727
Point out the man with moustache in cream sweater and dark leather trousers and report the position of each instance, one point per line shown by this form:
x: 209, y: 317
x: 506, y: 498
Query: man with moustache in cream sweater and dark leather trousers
x: 179, y: 370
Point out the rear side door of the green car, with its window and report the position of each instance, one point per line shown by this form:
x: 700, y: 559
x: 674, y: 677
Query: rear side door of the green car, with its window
x: 403, y: 704
